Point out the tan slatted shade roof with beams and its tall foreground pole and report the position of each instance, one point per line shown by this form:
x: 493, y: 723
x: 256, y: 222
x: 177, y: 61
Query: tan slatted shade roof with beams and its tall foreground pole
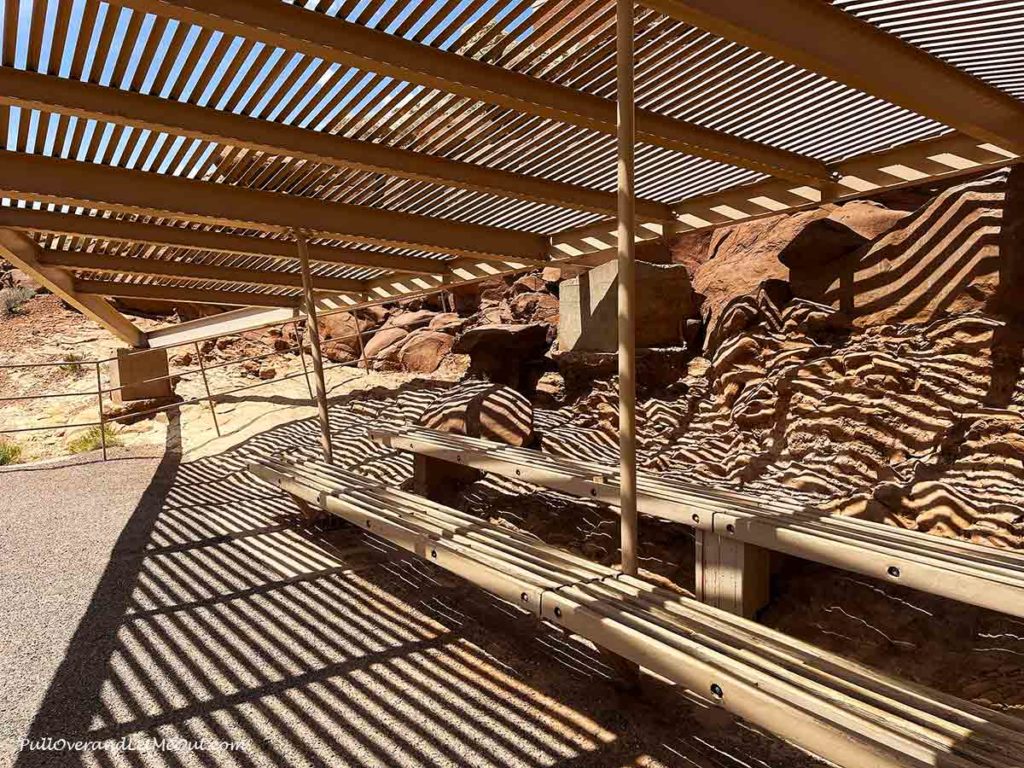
x: 169, y: 150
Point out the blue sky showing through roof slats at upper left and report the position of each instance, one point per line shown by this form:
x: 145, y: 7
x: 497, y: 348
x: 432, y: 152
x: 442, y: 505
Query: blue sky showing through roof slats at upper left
x: 203, y: 82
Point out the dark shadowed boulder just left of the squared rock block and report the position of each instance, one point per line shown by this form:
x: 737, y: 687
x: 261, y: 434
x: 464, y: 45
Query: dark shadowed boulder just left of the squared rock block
x: 509, y: 355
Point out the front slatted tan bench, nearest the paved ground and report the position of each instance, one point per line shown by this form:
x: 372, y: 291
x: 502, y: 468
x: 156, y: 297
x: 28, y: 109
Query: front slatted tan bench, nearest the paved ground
x: 843, y: 712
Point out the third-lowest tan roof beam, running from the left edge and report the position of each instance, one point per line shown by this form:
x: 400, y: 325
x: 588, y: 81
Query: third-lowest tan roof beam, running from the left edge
x: 178, y: 237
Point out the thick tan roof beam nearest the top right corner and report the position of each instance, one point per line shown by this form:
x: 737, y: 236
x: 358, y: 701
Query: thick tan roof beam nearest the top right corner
x: 822, y: 38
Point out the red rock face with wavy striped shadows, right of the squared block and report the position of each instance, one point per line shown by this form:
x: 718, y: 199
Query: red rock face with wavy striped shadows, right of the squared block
x: 860, y: 357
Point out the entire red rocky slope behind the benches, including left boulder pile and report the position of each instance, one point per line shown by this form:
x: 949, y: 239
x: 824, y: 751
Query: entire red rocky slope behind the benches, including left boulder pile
x: 864, y: 358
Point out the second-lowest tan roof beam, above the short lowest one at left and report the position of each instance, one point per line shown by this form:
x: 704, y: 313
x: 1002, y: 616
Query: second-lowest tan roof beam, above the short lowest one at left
x: 155, y: 268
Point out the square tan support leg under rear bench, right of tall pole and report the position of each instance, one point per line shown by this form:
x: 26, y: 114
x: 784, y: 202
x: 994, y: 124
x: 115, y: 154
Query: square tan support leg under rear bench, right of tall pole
x: 732, y: 576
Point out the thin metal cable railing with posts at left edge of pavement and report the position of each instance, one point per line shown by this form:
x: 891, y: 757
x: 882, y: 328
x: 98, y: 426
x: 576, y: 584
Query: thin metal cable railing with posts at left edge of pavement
x: 102, y: 394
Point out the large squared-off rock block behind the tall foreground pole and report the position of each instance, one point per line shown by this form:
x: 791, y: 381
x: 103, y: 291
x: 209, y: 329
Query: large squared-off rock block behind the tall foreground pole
x: 588, y: 316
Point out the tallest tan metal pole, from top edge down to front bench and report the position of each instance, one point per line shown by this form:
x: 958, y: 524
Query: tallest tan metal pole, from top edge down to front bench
x: 627, y: 289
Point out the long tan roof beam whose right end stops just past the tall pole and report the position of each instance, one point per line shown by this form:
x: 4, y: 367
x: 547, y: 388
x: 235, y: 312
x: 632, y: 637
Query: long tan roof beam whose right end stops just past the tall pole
x: 48, y: 94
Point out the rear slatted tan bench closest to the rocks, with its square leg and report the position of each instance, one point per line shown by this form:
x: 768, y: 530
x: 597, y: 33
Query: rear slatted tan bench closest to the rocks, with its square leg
x: 735, y: 525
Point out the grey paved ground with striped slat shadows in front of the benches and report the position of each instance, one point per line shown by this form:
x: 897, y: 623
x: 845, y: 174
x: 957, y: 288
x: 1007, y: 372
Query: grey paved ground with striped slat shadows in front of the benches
x: 184, y: 602
